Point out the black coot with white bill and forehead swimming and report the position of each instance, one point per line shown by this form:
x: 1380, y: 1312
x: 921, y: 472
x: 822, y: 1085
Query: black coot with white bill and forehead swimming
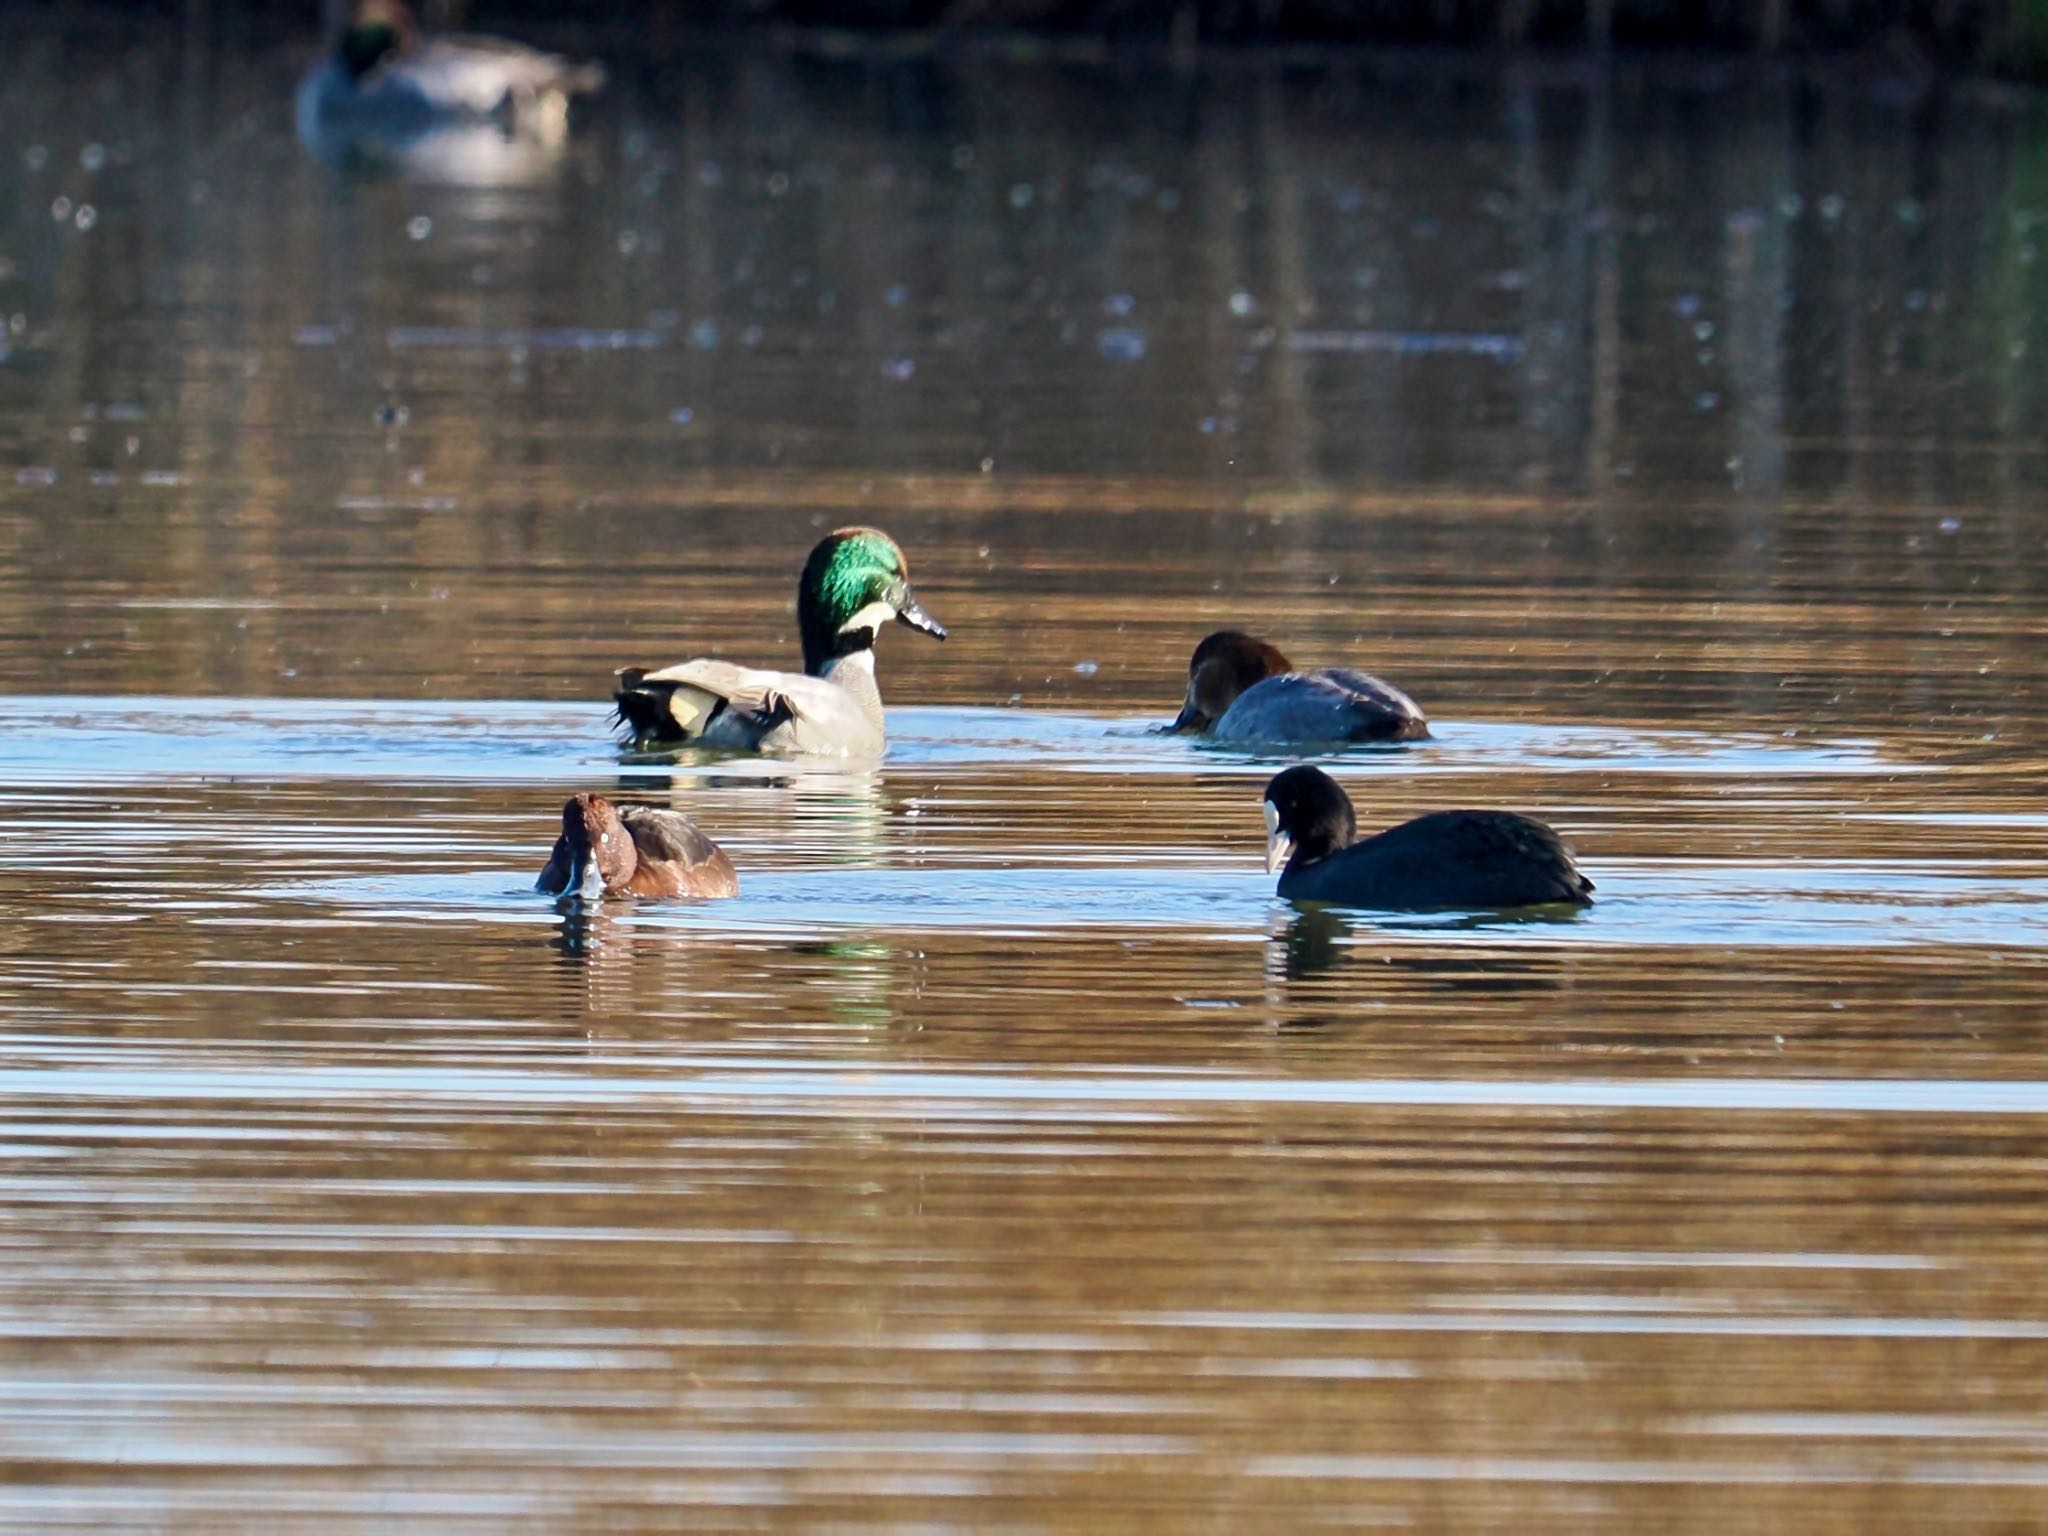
x: 1469, y: 861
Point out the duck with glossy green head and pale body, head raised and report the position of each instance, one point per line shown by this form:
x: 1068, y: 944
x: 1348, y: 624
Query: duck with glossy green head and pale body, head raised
x: 853, y: 585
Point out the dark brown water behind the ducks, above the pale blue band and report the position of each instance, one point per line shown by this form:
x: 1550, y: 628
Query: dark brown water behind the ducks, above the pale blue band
x: 1660, y: 337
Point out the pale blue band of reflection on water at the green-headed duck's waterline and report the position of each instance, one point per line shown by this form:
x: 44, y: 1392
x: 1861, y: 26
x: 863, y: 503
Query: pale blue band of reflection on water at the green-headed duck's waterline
x: 126, y: 738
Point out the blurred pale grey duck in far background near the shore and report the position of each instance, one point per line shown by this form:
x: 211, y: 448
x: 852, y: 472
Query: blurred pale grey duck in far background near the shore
x: 388, y: 77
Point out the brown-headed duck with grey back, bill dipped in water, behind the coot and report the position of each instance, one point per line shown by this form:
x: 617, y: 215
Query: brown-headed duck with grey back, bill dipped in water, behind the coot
x: 1242, y: 689
